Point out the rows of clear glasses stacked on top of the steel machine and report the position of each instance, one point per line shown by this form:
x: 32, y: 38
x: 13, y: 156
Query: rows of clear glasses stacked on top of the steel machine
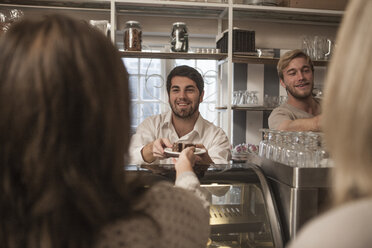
x: 296, y: 149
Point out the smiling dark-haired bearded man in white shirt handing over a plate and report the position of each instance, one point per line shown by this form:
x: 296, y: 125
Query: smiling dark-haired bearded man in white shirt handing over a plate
x: 182, y: 123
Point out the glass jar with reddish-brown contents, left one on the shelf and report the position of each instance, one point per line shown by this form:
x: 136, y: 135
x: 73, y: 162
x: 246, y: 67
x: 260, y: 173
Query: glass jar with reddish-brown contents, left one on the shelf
x: 132, y: 36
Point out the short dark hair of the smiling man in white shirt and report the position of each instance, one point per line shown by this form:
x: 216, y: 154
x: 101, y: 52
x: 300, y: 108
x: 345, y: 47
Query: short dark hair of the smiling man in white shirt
x: 189, y: 72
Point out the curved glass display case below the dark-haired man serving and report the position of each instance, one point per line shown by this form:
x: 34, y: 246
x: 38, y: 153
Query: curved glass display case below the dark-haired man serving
x: 243, y: 212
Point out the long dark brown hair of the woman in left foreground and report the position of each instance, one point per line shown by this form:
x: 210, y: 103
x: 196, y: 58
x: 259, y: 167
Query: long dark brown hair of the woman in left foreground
x: 64, y: 133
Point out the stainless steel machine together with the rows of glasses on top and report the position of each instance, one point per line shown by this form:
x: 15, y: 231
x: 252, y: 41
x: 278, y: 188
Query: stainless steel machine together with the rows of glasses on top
x: 298, y: 168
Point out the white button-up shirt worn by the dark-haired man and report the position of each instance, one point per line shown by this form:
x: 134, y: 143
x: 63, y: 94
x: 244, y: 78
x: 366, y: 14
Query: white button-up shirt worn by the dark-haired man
x: 160, y: 126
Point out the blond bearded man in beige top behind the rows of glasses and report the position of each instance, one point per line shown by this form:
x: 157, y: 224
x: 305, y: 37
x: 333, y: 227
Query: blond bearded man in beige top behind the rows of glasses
x: 301, y: 112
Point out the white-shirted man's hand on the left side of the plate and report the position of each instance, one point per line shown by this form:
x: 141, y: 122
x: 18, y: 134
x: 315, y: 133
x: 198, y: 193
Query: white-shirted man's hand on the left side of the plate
x: 155, y: 150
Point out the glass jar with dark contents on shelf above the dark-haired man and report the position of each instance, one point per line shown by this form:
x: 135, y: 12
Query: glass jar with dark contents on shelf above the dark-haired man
x: 179, y: 37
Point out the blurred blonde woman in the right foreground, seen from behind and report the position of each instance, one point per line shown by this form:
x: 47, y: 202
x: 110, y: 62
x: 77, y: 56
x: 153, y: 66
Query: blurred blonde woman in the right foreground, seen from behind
x: 347, y: 113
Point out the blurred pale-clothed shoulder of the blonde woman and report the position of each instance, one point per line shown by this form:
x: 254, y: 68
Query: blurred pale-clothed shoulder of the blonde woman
x: 348, y: 225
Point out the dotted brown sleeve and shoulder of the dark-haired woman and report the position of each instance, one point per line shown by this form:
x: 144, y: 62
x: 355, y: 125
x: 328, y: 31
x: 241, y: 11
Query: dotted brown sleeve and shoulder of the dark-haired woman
x: 168, y: 217
